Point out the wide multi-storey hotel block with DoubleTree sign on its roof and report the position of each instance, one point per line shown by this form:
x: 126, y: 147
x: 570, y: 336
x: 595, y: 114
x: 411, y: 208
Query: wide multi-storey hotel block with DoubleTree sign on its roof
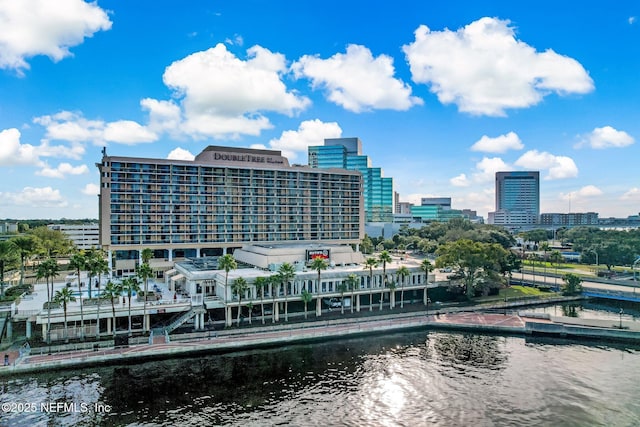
x: 224, y: 198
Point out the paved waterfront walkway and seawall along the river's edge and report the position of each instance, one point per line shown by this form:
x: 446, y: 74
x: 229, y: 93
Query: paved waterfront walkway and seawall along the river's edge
x: 272, y: 335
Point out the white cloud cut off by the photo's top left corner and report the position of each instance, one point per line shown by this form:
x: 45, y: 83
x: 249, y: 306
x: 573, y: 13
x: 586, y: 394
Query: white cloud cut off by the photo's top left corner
x: 43, y: 27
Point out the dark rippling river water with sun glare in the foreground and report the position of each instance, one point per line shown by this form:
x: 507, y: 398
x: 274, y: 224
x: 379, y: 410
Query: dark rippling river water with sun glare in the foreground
x: 420, y: 378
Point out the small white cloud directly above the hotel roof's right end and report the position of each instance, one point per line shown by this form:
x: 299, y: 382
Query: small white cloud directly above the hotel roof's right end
x: 310, y: 132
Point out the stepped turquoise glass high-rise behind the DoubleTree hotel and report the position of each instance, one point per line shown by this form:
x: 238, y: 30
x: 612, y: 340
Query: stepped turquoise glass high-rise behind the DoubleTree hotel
x: 347, y: 153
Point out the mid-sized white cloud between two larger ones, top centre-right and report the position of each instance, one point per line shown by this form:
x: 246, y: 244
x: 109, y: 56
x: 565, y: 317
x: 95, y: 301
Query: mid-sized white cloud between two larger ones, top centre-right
x: 357, y: 81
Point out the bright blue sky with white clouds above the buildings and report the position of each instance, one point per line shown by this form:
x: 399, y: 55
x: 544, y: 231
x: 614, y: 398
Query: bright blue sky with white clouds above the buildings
x: 442, y: 93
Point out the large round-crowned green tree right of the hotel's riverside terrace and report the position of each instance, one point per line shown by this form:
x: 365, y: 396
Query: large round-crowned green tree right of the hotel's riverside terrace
x: 472, y: 261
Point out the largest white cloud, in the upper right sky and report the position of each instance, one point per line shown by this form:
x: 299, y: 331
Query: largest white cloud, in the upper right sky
x: 485, y: 70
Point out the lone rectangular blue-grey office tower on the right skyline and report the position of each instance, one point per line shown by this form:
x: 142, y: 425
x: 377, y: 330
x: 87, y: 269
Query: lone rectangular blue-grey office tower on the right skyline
x: 517, y: 198
